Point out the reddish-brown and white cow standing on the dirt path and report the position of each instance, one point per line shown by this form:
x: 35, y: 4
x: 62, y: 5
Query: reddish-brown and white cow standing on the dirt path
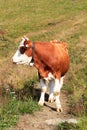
x: 52, y: 62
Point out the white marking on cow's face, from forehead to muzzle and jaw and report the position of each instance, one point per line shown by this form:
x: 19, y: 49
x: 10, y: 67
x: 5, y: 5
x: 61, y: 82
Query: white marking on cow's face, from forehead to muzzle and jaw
x: 19, y: 58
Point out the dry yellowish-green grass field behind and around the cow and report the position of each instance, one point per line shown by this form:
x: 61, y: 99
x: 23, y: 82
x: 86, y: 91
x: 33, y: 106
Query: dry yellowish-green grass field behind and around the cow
x: 44, y: 21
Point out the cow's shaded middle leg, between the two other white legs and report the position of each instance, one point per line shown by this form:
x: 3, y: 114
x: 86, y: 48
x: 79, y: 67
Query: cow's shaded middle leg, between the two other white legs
x: 51, y: 87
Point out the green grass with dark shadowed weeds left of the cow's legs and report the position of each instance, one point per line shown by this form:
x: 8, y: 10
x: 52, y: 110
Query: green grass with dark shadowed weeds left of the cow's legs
x: 15, y: 103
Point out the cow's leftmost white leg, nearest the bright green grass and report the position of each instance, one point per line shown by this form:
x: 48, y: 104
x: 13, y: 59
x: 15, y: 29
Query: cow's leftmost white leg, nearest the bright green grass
x: 43, y: 91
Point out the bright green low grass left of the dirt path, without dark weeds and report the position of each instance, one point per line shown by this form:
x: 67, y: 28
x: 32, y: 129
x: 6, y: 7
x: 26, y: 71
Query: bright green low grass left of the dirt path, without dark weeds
x: 9, y: 112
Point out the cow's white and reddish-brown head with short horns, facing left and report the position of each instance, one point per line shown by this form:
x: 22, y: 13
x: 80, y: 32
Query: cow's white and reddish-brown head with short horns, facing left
x: 21, y: 56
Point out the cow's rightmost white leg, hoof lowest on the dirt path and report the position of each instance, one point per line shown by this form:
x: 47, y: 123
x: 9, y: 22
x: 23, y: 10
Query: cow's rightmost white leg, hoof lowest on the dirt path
x: 57, y: 88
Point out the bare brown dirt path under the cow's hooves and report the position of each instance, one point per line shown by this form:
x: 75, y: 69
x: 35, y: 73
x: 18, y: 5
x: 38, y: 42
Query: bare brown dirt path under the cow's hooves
x: 47, y: 118
